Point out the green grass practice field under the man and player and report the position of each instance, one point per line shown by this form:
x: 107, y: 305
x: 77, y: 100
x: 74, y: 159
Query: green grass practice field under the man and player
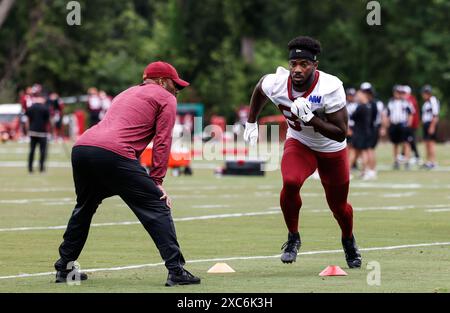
x: 401, y: 208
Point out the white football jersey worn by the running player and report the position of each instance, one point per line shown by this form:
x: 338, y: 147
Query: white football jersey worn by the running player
x: 326, y: 96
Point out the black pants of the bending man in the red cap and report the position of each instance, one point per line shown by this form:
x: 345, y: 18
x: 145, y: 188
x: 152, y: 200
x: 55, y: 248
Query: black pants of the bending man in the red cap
x: 99, y: 174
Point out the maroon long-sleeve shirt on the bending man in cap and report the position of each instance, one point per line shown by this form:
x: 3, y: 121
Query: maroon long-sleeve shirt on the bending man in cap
x: 137, y: 116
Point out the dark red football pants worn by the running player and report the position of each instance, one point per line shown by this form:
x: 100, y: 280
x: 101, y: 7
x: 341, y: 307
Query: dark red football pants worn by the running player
x: 298, y: 163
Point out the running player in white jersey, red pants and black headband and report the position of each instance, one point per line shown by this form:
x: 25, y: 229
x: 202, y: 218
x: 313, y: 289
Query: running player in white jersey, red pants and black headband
x: 314, y: 105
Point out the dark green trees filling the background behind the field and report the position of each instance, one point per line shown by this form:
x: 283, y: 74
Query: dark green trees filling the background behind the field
x: 222, y: 47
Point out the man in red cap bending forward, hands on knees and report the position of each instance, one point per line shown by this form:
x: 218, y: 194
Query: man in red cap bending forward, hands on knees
x: 105, y: 163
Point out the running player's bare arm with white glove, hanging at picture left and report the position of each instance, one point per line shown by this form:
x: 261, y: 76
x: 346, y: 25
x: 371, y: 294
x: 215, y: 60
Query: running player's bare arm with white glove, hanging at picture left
x: 257, y: 103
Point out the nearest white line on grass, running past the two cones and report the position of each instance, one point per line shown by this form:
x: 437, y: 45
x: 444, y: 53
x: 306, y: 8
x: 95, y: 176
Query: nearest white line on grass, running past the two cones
x: 139, y: 266
